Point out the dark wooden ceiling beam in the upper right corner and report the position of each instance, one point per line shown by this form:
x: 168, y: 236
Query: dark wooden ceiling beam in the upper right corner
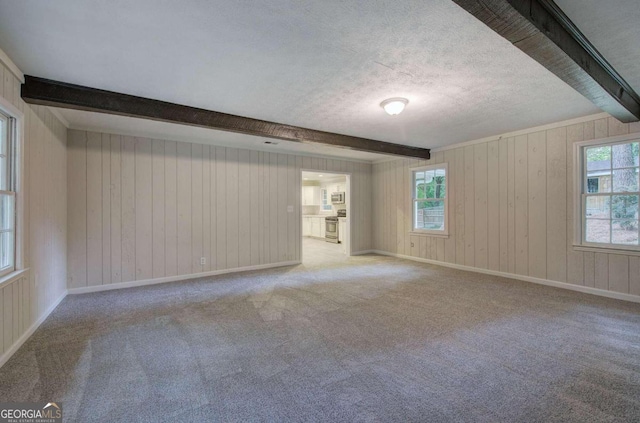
x: 541, y: 30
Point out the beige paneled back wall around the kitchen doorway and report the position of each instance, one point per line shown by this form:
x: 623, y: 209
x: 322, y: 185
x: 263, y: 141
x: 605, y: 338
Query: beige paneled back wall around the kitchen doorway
x: 143, y: 208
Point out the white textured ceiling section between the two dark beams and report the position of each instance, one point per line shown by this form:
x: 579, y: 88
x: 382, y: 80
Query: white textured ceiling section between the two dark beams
x: 323, y: 65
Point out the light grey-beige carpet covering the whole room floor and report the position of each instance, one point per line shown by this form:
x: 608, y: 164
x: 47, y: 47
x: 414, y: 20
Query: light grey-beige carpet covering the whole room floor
x: 370, y: 339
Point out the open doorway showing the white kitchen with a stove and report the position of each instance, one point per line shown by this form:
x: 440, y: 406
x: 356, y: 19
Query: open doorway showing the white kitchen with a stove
x: 326, y: 226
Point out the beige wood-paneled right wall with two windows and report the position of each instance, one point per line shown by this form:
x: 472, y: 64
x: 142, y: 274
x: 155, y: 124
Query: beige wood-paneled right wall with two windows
x: 510, y: 209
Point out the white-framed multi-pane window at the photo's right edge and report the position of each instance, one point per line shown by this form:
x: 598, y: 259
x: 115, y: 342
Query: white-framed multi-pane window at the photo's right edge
x: 609, y: 193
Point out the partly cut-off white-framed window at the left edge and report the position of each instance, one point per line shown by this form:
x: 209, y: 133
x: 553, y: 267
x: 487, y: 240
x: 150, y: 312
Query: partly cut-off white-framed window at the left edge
x: 7, y: 195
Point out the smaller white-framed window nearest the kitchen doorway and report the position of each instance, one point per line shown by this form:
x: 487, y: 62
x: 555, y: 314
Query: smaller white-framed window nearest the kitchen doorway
x: 429, y: 199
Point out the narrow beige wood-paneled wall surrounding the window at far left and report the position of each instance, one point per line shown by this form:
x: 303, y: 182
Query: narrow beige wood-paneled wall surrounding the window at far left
x: 27, y: 299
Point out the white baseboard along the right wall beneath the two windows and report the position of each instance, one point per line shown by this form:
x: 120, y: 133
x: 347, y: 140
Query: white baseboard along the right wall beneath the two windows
x: 540, y: 281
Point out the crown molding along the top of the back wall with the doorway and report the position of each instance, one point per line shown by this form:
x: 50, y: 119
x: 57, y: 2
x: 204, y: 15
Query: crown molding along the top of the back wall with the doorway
x: 146, y: 134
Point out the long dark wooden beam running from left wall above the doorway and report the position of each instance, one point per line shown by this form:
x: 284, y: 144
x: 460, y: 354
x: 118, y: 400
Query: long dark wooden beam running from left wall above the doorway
x: 59, y: 94
